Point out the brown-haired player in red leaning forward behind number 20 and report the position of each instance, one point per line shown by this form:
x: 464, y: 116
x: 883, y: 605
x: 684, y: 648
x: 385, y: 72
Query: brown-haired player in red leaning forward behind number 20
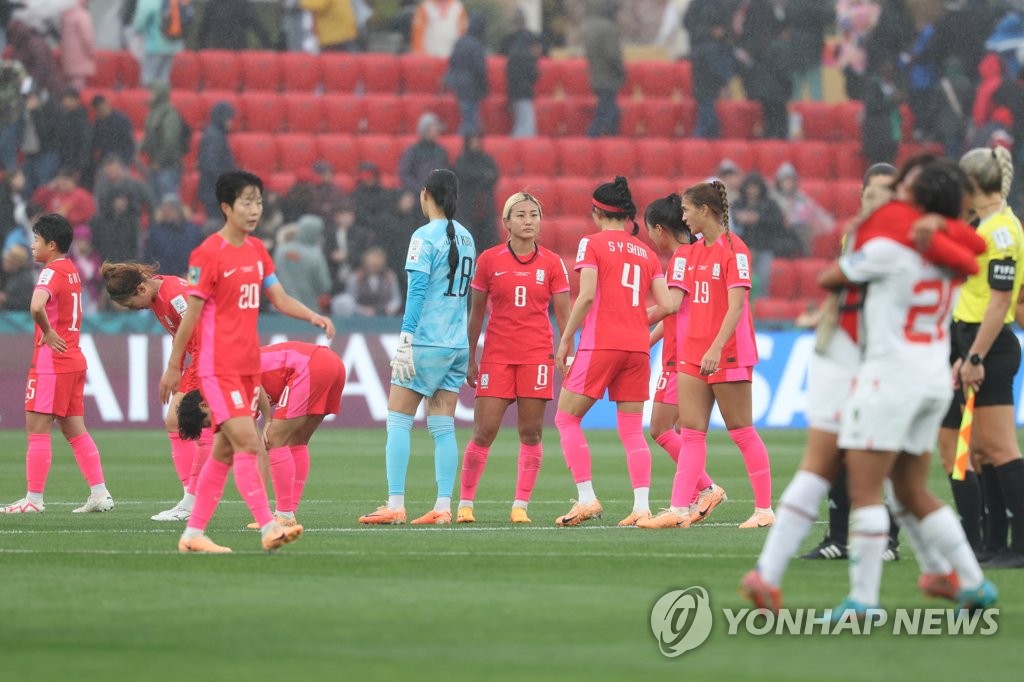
x: 138, y: 287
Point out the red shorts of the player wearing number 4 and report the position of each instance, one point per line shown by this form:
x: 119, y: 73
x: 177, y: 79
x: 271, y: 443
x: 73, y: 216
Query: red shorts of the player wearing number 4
x: 625, y: 374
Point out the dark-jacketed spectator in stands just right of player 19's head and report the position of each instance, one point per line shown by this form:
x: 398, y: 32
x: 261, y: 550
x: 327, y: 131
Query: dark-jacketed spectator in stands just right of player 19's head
x: 759, y: 222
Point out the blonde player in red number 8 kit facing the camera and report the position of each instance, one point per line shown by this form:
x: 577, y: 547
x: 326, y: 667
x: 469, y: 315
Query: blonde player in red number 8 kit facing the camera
x: 520, y: 279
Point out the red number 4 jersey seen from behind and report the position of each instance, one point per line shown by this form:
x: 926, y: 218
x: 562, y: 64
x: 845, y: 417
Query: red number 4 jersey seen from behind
x: 626, y: 267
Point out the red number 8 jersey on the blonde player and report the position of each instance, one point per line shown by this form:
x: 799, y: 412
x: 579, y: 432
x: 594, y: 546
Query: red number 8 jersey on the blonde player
x: 519, y: 327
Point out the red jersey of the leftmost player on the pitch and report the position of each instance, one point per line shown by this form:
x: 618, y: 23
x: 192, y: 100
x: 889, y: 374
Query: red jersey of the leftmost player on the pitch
x: 64, y: 311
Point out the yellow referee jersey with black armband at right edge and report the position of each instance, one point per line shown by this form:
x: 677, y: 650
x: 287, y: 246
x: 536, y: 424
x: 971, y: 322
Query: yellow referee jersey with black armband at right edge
x: 1005, y: 242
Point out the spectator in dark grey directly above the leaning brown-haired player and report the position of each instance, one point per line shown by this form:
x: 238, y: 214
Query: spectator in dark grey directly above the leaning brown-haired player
x: 122, y: 202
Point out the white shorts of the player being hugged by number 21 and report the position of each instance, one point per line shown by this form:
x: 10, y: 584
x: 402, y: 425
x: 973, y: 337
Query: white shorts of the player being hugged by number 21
x: 830, y: 381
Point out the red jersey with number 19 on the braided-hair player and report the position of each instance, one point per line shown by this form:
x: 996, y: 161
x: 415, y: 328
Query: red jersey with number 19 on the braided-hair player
x: 711, y: 272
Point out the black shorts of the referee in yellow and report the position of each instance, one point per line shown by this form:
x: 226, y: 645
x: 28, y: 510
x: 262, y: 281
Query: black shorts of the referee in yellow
x: 1001, y: 364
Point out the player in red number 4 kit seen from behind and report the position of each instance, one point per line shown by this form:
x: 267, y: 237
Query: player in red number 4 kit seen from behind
x: 617, y: 271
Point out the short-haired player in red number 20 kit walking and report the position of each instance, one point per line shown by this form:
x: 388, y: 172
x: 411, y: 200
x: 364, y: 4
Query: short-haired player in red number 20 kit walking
x: 227, y: 274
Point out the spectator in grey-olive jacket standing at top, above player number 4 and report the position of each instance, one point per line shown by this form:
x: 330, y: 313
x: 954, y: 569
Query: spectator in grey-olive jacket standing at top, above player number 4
x: 604, y: 49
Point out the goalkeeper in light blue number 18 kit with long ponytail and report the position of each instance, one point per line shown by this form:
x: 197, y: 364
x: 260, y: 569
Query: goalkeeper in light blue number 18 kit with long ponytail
x: 434, y: 350
